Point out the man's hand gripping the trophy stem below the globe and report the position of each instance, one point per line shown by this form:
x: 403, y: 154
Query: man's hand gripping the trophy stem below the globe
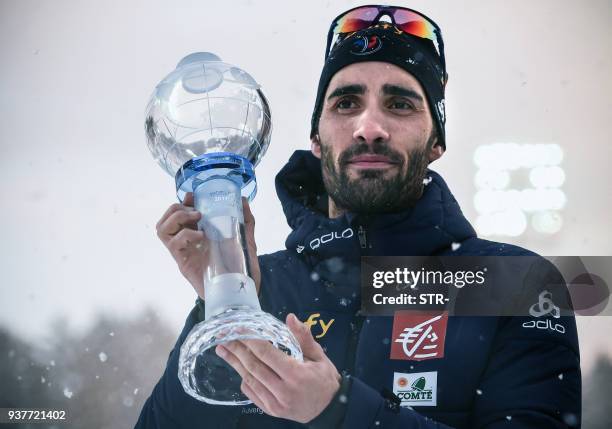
x: 178, y: 230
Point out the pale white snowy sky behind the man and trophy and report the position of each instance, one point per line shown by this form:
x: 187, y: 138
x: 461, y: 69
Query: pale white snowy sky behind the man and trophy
x: 80, y: 193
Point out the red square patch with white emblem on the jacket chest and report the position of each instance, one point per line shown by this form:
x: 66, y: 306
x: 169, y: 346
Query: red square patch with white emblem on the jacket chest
x: 418, y: 335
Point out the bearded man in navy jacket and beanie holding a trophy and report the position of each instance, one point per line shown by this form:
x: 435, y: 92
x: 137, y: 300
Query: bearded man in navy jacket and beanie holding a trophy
x: 378, y: 123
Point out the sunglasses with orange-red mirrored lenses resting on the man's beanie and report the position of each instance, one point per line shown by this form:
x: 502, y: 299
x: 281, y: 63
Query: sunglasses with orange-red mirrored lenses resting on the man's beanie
x: 407, y: 20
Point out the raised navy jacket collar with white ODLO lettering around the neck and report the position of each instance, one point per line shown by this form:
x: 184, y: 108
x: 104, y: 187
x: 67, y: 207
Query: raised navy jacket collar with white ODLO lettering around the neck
x: 430, y: 227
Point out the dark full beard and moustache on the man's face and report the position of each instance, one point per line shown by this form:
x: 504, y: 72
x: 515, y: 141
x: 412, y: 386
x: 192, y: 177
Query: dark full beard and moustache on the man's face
x: 372, y: 192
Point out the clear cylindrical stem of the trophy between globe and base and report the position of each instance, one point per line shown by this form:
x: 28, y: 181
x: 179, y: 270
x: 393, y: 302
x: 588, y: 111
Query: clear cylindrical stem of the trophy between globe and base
x: 227, y: 279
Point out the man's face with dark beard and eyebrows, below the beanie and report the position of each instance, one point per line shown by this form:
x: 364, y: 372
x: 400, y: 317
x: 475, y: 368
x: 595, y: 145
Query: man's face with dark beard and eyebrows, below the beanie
x: 375, y: 138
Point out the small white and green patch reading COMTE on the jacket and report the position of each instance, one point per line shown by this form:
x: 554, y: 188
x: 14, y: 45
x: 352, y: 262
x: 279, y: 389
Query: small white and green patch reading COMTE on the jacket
x: 419, y: 389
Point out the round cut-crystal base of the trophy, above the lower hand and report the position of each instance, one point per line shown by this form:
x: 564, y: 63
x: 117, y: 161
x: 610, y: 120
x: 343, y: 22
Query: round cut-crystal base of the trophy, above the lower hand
x: 208, y: 378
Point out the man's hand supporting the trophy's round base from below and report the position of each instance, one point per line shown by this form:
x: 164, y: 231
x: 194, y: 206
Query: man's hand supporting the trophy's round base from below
x: 280, y: 385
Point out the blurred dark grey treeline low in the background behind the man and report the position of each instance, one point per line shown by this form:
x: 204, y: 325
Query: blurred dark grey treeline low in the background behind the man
x: 103, y: 376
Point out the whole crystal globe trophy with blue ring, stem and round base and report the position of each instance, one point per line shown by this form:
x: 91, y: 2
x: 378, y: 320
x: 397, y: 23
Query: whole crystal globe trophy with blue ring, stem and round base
x: 208, y: 125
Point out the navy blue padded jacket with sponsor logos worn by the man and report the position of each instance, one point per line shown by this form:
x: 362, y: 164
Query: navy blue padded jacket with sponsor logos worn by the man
x: 495, y: 373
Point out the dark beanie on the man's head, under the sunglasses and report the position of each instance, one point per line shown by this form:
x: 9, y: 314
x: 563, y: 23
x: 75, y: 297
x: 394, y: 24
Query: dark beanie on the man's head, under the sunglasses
x: 385, y: 43
